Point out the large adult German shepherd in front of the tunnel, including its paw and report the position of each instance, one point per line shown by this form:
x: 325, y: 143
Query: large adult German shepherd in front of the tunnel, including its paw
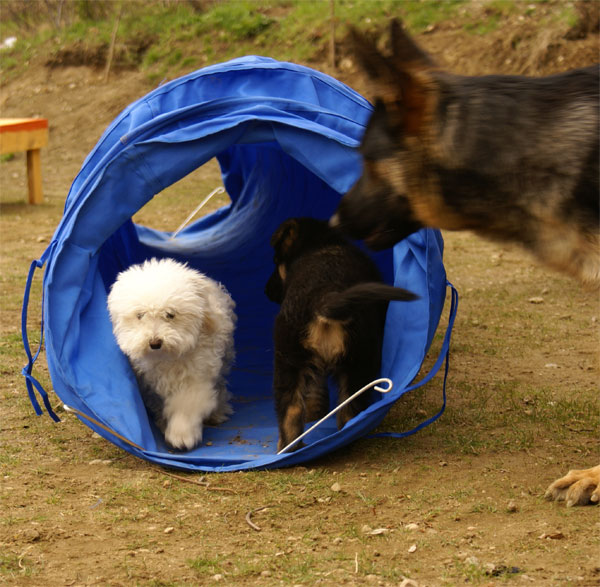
x: 511, y: 158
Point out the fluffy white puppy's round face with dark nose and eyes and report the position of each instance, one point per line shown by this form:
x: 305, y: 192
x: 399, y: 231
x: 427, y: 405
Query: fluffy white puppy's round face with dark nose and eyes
x: 158, y: 310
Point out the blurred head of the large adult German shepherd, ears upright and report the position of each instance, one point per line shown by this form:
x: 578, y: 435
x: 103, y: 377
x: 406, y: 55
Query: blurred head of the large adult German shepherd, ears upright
x: 379, y: 208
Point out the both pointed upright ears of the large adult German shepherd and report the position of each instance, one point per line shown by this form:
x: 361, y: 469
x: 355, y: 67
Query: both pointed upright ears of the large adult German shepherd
x: 402, y: 81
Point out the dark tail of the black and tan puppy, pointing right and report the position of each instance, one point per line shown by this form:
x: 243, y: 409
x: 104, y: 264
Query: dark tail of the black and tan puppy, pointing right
x: 341, y: 305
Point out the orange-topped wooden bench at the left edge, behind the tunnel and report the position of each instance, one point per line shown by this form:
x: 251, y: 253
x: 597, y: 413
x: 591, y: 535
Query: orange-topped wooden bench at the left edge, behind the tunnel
x: 30, y: 135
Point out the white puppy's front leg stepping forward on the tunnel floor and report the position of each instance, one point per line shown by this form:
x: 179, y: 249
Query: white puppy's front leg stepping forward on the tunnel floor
x: 185, y: 412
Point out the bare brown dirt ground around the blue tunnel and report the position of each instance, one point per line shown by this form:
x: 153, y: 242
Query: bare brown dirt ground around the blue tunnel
x: 460, y: 502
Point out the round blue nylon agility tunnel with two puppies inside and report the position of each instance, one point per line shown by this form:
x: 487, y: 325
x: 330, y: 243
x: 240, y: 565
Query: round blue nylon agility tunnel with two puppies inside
x: 285, y: 137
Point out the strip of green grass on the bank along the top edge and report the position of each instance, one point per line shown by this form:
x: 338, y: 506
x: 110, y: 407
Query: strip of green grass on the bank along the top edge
x: 153, y: 34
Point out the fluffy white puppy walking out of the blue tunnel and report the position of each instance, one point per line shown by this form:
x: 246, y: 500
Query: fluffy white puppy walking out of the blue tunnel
x: 176, y: 327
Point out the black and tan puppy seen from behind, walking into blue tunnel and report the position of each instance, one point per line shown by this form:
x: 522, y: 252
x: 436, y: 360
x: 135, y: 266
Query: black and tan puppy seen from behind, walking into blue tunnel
x: 333, y: 307
